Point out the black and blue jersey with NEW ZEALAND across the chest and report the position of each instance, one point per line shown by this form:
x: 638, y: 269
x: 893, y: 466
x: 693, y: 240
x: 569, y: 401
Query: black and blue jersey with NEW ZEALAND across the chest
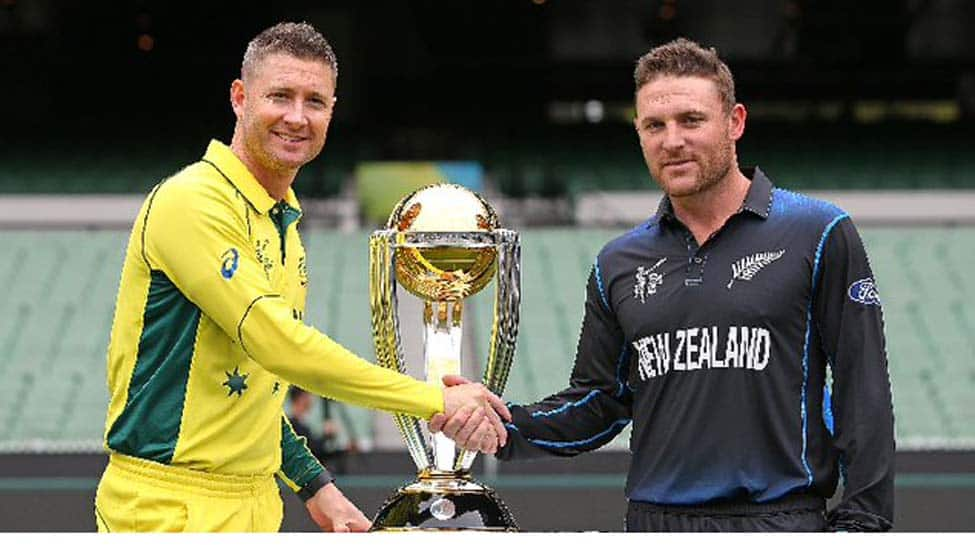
x: 718, y: 354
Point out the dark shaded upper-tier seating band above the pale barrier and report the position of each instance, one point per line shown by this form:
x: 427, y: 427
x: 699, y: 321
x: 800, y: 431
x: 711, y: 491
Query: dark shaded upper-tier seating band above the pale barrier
x: 556, y: 162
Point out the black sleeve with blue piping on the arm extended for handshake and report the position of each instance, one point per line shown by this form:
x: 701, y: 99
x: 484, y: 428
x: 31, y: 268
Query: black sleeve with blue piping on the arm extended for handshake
x: 596, y: 405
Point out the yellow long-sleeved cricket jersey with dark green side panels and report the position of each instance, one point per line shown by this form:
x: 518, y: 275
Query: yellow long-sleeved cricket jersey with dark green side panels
x: 208, y: 332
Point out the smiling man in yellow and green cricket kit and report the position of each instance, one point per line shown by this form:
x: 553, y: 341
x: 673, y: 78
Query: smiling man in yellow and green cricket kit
x: 208, y: 332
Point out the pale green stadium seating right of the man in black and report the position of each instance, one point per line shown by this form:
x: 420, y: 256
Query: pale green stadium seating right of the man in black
x: 930, y: 327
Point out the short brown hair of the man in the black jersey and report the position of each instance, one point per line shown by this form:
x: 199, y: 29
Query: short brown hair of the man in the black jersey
x: 683, y: 57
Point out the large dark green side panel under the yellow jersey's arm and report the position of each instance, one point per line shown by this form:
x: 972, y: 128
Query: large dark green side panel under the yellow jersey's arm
x: 149, y: 425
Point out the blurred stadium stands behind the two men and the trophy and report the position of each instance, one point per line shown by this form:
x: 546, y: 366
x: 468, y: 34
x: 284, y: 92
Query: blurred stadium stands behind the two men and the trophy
x: 870, y: 104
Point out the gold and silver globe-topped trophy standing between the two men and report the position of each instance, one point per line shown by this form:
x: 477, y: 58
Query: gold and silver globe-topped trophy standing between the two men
x: 443, y: 243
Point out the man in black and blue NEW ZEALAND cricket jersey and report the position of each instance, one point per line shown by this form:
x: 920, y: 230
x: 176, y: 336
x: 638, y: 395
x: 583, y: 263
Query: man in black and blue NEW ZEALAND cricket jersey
x: 713, y: 328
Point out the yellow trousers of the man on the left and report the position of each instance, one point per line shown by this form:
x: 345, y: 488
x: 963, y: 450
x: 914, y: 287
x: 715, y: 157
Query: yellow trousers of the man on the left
x: 138, y: 495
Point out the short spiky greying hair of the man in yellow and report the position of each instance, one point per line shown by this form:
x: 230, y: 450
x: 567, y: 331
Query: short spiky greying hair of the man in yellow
x: 299, y: 40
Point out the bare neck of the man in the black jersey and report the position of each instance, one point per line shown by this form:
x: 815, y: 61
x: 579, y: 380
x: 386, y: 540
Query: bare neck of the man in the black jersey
x: 706, y: 212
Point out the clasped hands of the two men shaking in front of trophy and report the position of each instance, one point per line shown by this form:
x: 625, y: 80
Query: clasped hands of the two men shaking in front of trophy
x: 473, y: 416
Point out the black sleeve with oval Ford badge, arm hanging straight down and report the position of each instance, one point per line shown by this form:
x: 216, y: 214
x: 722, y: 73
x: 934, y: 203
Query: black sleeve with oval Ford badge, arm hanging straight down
x: 848, y: 314
